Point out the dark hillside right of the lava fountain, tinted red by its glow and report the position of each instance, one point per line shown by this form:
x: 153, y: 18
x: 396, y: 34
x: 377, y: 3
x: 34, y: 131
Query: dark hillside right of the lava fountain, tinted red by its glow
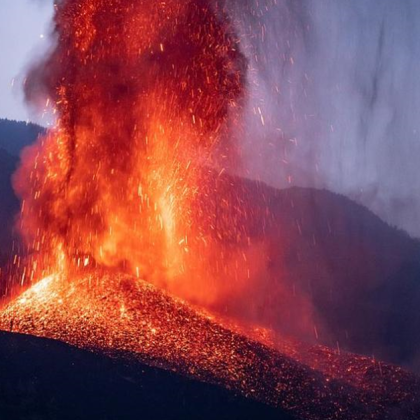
x: 330, y: 265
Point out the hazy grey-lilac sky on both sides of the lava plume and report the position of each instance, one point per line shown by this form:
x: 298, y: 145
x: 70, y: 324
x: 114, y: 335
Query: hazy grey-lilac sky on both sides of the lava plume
x: 334, y: 94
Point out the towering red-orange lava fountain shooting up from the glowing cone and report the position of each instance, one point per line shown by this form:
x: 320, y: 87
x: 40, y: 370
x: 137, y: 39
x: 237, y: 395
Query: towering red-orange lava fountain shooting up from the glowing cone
x: 145, y: 95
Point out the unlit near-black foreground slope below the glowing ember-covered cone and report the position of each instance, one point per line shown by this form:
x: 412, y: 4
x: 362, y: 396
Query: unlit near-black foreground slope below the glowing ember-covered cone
x: 44, y: 379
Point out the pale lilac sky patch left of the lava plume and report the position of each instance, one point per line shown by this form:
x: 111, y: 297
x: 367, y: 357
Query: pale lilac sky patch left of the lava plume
x: 22, y: 26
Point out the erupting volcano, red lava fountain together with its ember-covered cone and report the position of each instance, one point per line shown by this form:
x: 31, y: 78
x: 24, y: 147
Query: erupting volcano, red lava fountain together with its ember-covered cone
x: 134, y: 232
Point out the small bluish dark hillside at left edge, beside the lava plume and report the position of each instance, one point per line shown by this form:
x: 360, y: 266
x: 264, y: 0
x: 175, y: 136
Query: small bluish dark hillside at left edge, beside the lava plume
x: 15, y: 135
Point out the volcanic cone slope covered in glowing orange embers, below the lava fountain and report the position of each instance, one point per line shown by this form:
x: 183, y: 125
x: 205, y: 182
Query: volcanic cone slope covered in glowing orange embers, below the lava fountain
x: 124, y: 317
